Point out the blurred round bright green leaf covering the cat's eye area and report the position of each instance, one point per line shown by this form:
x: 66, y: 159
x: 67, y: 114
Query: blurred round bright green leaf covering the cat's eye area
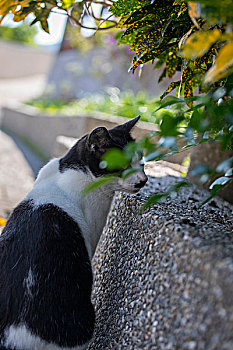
x: 115, y: 159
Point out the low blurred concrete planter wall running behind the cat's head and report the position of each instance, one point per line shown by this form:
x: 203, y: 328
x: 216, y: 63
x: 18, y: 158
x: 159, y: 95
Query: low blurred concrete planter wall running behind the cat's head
x: 43, y: 129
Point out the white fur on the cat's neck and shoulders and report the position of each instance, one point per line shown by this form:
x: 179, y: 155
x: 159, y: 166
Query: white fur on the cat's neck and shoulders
x: 64, y: 189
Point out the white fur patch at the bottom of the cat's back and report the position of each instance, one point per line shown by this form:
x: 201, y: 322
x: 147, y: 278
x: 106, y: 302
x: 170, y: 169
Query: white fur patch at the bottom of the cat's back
x: 21, y: 338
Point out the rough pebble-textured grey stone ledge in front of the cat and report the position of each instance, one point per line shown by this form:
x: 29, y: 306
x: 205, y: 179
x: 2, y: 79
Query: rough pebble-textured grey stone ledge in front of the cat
x: 164, y: 278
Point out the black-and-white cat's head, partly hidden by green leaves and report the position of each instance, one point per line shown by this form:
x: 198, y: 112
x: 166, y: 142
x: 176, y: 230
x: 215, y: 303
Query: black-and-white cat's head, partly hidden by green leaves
x: 87, y: 153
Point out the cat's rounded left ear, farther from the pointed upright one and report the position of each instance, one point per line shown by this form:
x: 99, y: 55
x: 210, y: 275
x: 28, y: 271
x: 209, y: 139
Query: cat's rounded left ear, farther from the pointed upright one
x: 99, y: 138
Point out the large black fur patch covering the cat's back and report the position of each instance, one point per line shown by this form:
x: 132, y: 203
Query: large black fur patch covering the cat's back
x: 57, y: 306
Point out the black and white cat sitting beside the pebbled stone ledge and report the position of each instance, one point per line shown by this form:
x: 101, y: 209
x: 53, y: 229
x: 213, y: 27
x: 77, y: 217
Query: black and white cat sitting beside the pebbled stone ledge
x: 47, y: 245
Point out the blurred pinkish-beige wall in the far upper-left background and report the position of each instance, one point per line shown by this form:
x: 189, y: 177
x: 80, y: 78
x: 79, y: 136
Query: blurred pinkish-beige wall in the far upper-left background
x: 19, y: 60
